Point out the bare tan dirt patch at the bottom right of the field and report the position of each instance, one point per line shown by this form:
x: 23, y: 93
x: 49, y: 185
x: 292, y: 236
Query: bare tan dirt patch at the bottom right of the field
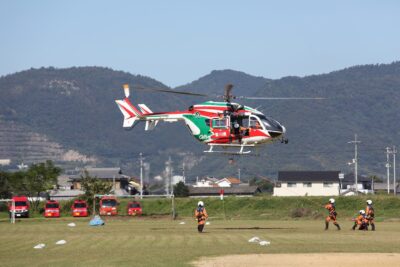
x: 292, y: 260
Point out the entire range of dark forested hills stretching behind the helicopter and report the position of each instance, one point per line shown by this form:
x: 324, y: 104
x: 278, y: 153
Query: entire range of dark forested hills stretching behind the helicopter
x: 74, y: 109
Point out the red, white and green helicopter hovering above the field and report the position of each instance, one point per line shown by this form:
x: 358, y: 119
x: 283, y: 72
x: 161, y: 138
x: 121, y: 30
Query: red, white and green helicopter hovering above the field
x: 231, y: 126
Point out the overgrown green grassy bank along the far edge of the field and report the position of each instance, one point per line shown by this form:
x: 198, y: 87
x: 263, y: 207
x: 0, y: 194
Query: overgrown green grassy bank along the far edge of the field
x: 259, y: 207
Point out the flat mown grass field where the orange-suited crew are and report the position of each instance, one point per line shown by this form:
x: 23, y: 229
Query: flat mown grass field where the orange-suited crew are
x: 163, y: 242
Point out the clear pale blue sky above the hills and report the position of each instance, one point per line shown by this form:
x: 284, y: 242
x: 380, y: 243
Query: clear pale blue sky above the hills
x: 177, y: 42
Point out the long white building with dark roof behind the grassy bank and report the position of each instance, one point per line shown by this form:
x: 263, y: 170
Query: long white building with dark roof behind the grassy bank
x: 307, y: 183
